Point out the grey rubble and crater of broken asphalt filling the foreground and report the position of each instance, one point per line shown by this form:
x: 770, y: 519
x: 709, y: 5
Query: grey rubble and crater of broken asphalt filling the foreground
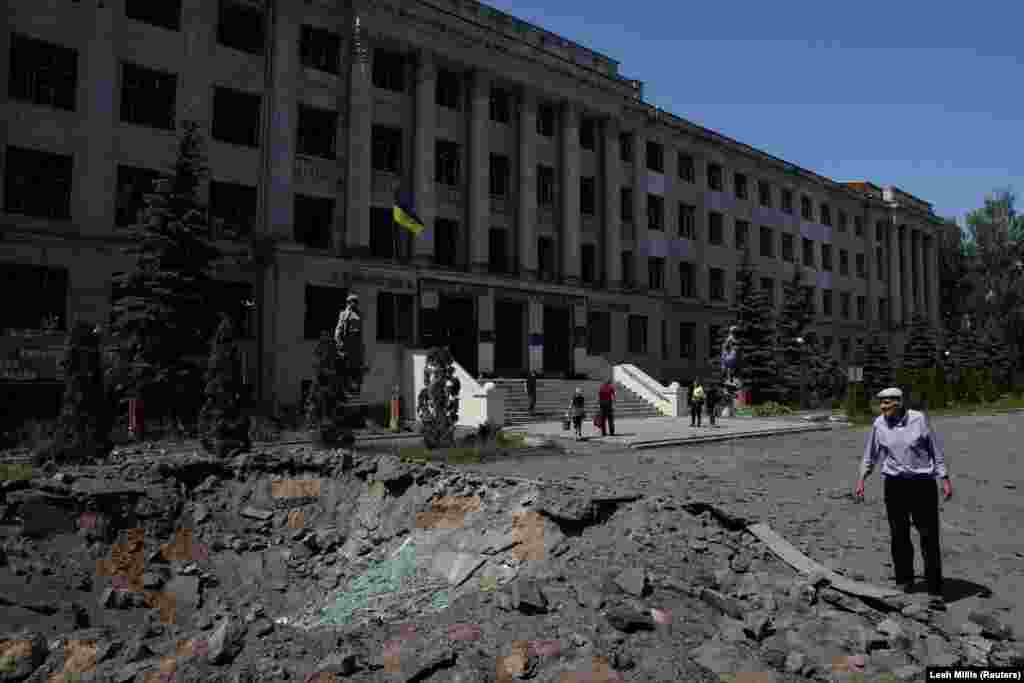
x: 297, y: 565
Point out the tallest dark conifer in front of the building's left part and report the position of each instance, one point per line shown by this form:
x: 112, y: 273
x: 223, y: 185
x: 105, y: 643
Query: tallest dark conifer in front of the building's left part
x: 162, y: 320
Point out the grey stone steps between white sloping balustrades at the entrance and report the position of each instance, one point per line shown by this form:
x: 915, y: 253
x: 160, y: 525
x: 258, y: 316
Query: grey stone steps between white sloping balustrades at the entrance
x: 553, y: 400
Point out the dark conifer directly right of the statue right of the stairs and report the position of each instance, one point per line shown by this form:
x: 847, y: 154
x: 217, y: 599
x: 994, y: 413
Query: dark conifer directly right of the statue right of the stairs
x: 756, y: 337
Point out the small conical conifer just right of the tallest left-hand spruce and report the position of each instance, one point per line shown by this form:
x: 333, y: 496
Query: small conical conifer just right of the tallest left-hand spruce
x: 225, y: 426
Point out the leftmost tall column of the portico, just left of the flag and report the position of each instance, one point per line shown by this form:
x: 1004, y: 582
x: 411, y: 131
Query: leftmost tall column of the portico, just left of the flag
x: 360, y: 173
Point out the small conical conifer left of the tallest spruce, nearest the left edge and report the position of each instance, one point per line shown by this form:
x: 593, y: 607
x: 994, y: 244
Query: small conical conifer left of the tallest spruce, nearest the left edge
x: 83, y: 430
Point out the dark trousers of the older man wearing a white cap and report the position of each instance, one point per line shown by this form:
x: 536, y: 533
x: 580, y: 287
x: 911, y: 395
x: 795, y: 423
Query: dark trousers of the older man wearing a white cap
x: 917, y: 501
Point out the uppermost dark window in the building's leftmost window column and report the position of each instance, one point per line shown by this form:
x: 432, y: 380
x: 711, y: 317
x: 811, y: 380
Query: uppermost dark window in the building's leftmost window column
x: 42, y: 73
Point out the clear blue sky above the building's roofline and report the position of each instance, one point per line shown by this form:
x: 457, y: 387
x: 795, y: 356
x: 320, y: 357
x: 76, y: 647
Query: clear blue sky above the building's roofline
x: 925, y: 97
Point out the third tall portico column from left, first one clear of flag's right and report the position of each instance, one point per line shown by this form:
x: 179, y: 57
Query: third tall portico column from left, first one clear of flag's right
x: 478, y: 230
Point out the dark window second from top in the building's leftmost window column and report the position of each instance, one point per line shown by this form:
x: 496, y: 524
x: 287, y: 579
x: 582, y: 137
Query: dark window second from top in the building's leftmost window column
x: 37, y: 184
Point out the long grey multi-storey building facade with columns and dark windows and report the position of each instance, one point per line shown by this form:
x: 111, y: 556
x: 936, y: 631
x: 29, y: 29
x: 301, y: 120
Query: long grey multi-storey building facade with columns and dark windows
x: 569, y: 223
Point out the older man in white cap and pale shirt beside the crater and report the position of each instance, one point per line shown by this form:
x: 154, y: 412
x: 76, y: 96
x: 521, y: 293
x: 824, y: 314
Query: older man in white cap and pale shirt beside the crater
x: 912, y: 460
